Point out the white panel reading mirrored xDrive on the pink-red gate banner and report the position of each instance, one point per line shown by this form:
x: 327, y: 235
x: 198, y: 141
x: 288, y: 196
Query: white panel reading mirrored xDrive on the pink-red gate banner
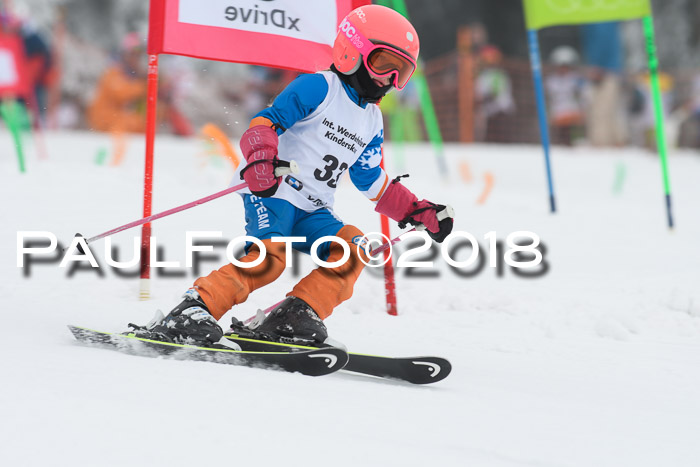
x: 311, y: 20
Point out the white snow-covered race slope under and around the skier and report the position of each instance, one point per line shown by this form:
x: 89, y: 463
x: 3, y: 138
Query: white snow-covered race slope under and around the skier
x: 597, y: 363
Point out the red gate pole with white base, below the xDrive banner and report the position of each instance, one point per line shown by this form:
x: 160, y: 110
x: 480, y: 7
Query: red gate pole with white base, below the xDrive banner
x: 151, y: 107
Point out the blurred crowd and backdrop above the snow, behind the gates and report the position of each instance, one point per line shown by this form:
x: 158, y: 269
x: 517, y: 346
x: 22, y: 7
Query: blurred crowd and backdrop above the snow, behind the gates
x: 85, y: 55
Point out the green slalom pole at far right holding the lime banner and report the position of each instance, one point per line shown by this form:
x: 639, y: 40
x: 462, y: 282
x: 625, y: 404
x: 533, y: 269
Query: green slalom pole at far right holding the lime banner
x: 648, y: 22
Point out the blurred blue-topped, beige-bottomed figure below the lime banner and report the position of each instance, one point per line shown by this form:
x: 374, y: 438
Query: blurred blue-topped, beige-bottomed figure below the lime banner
x: 603, y: 52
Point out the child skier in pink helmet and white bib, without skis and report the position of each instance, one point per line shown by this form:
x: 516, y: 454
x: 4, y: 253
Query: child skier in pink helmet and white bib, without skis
x: 328, y: 123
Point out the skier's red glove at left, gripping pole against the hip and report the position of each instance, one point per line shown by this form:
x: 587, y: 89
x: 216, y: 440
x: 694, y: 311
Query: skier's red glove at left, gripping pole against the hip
x: 259, y: 146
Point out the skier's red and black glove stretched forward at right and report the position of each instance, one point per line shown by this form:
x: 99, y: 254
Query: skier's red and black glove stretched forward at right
x: 400, y: 204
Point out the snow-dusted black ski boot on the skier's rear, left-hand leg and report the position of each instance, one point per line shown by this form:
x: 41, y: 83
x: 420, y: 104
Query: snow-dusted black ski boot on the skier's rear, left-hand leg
x: 188, y: 323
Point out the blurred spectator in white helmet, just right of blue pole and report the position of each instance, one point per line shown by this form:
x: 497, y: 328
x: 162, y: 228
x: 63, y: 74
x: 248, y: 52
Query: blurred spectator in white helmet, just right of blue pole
x: 564, y: 89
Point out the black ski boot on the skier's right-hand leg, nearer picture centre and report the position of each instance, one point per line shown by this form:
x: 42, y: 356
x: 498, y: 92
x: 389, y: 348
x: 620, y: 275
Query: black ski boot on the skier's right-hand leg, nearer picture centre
x: 293, y: 322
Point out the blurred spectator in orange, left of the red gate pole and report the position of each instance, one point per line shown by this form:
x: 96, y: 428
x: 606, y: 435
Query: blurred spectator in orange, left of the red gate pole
x: 120, y: 99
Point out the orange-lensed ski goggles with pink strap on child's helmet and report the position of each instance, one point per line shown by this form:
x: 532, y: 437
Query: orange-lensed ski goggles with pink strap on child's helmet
x: 379, y: 59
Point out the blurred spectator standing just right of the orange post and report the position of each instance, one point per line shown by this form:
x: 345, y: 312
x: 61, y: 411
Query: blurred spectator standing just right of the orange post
x: 493, y: 95
